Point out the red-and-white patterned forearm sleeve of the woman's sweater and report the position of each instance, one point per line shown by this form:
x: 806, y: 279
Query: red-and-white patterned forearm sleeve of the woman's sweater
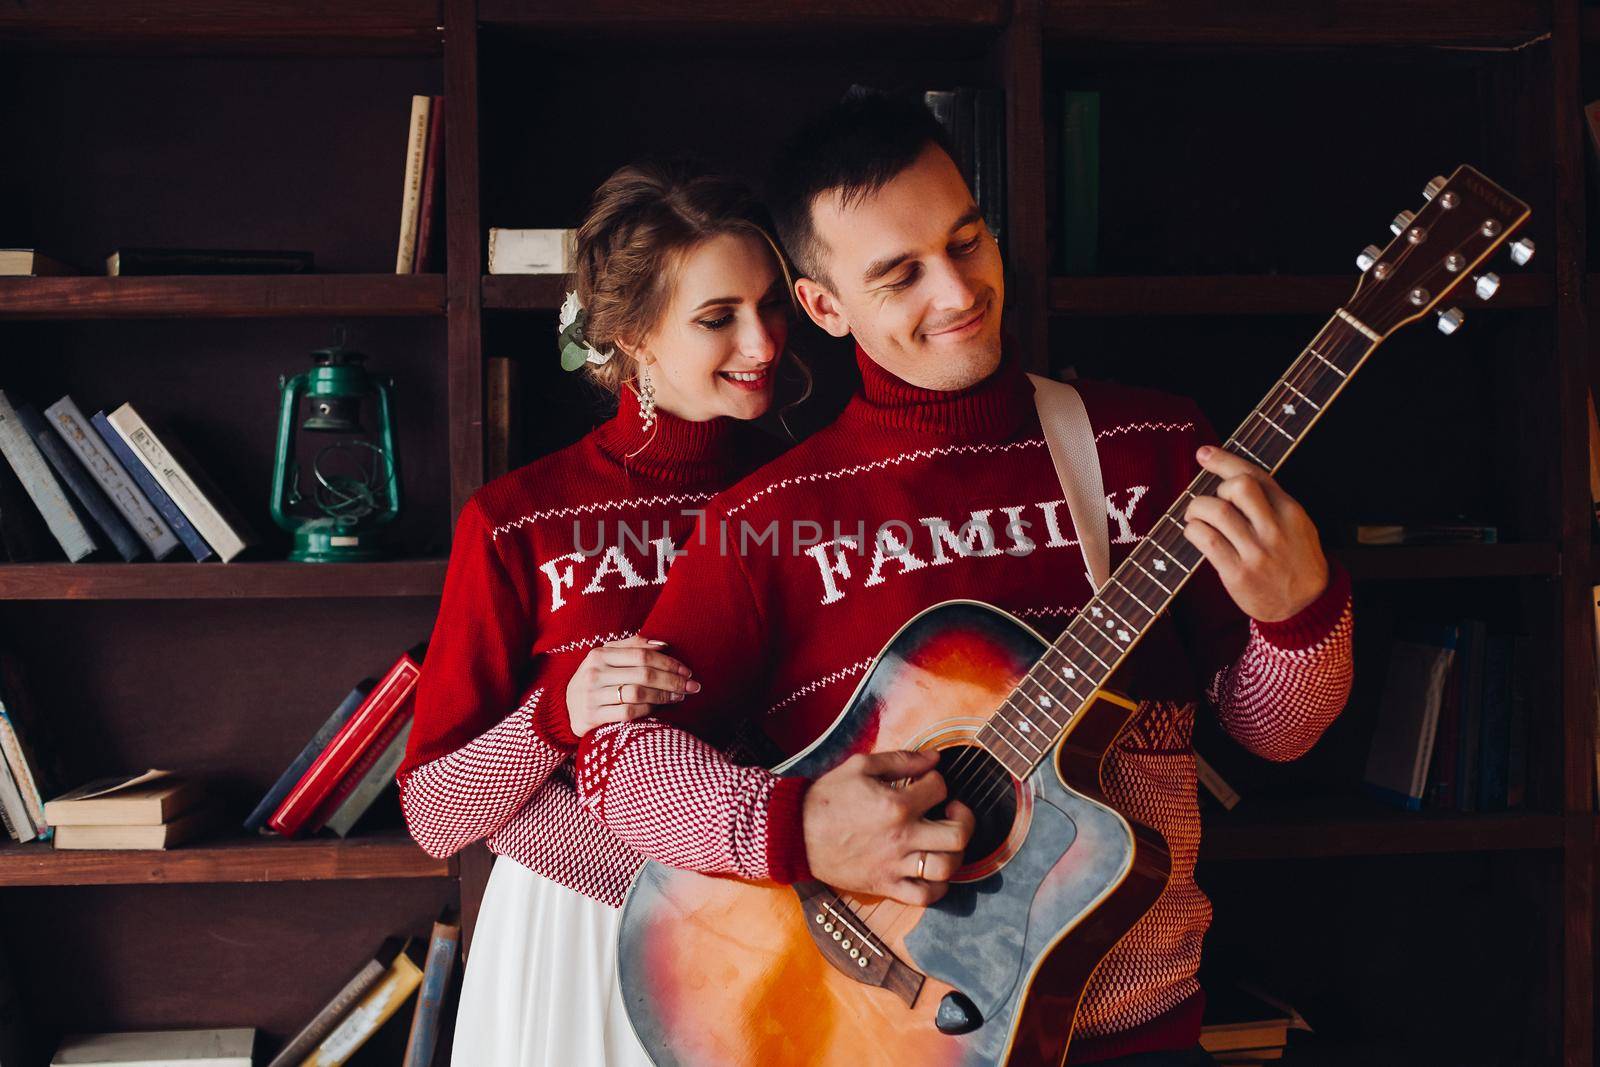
x: 479, y: 788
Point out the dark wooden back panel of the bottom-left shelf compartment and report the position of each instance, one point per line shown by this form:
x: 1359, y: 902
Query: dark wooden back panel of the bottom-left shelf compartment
x: 182, y: 957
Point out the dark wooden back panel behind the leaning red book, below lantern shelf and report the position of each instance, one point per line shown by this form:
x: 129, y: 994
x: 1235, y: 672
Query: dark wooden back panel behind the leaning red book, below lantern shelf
x: 222, y: 690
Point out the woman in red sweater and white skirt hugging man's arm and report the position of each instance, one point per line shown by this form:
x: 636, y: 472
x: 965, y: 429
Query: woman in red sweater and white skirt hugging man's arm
x: 682, y: 310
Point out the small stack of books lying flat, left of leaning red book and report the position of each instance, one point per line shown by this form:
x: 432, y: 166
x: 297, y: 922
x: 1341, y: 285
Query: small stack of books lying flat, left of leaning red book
x: 148, y: 810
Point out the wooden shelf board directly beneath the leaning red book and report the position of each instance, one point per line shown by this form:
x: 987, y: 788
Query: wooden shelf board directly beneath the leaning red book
x: 244, y: 860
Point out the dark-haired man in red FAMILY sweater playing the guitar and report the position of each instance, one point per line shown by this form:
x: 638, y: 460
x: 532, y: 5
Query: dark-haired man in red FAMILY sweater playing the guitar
x: 935, y: 484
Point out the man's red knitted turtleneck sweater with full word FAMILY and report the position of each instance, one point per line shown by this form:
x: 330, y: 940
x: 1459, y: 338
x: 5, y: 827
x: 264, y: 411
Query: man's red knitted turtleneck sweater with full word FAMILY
x: 918, y: 497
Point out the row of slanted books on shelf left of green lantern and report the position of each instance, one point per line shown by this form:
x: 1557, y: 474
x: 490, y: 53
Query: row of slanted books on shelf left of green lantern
x: 106, y: 486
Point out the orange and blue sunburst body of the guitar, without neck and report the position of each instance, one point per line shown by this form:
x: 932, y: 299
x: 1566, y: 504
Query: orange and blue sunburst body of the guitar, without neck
x: 719, y: 972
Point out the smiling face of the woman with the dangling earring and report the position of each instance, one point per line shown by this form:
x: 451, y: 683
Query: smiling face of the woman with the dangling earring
x: 716, y: 350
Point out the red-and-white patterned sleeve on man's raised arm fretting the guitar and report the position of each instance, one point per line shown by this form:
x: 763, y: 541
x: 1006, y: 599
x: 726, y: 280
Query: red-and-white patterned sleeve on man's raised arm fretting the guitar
x: 1294, y: 677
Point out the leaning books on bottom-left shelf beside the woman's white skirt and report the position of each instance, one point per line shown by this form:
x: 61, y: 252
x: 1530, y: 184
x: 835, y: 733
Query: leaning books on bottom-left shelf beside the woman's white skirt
x: 374, y: 996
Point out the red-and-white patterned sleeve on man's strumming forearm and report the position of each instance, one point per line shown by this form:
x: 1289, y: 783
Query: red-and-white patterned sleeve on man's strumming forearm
x: 681, y: 802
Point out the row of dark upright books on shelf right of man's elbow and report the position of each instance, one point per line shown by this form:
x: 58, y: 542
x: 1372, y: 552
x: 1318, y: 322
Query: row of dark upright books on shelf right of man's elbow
x: 1454, y: 721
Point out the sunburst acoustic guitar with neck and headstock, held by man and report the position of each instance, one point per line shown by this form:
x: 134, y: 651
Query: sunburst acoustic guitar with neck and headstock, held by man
x: 727, y: 973
